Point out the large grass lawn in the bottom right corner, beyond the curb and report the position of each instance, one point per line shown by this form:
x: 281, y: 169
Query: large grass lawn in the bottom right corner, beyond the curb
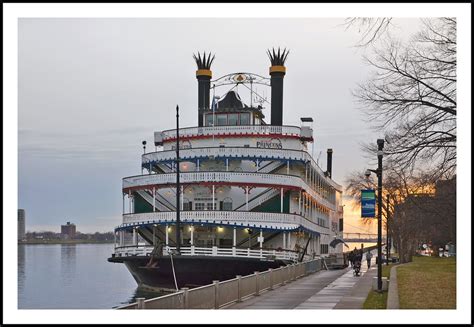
x: 427, y: 283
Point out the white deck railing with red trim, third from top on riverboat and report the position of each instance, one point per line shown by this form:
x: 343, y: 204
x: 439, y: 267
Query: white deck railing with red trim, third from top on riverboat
x: 265, y: 180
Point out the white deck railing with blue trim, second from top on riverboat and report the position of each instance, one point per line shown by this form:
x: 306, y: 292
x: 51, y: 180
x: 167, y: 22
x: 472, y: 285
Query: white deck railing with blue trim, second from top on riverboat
x: 239, y: 152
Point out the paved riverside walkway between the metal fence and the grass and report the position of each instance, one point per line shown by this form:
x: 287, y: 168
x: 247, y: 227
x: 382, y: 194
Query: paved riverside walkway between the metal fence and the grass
x: 326, y: 289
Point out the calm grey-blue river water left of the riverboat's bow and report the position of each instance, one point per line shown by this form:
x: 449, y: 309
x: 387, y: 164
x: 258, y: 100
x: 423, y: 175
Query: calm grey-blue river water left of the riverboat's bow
x: 73, y: 276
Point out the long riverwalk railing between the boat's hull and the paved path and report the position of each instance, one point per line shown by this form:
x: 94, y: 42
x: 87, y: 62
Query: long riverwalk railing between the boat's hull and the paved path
x: 222, y: 293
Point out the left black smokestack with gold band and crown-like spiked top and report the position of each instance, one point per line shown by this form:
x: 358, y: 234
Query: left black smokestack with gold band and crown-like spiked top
x: 203, y: 75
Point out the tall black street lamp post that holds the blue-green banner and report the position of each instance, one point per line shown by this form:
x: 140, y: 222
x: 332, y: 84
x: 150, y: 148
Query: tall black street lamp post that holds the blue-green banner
x: 378, y: 172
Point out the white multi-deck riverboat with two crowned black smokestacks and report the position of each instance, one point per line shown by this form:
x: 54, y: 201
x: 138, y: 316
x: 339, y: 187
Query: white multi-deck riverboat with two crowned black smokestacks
x: 230, y: 196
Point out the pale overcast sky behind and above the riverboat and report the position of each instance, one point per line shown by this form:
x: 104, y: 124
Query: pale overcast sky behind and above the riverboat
x: 90, y: 90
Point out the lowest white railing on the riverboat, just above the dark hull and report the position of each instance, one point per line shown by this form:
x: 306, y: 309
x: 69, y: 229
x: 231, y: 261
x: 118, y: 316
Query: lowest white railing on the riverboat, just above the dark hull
x: 146, y: 250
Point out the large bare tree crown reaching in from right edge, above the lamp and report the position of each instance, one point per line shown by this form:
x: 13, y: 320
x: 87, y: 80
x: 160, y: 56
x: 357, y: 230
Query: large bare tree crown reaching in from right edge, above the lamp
x: 411, y: 98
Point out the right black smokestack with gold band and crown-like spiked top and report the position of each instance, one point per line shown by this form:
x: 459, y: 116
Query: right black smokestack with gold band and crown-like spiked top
x: 277, y: 72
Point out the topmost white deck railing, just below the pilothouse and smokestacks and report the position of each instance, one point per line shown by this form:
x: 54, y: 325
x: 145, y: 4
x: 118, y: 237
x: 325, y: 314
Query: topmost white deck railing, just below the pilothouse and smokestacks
x: 232, y: 130
